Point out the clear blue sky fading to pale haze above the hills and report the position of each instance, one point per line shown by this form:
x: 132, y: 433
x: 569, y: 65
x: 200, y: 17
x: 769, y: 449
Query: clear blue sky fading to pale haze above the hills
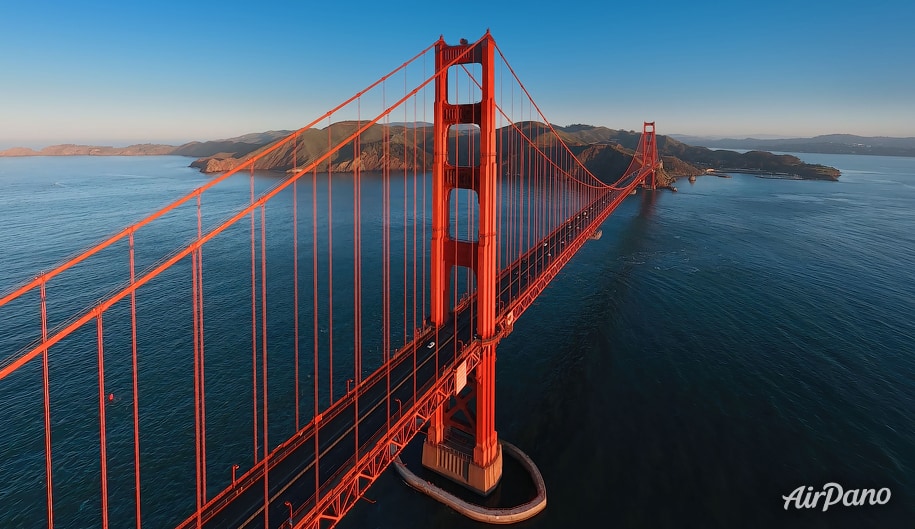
x: 169, y: 71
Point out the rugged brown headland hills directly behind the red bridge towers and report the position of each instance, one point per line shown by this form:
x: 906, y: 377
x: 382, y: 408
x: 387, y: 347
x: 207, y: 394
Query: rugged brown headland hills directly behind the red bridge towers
x: 605, y: 152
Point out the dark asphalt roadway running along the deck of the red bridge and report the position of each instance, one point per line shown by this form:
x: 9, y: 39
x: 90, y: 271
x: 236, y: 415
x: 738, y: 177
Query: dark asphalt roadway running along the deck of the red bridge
x: 291, y: 476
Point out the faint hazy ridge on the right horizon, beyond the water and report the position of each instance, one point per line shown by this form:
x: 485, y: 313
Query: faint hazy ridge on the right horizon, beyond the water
x: 824, y: 144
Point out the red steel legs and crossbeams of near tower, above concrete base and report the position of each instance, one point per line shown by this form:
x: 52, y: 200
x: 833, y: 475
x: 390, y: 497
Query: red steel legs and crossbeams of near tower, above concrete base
x: 478, y: 256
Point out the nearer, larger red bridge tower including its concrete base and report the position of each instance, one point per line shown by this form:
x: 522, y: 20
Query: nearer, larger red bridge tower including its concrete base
x: 470, y: 415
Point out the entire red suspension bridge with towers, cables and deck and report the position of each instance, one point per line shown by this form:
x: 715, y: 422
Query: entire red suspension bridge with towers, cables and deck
x: 415, y: 223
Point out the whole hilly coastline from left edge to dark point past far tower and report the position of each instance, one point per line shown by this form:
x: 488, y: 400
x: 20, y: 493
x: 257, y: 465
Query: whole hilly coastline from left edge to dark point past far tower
x: 605, y: 152
